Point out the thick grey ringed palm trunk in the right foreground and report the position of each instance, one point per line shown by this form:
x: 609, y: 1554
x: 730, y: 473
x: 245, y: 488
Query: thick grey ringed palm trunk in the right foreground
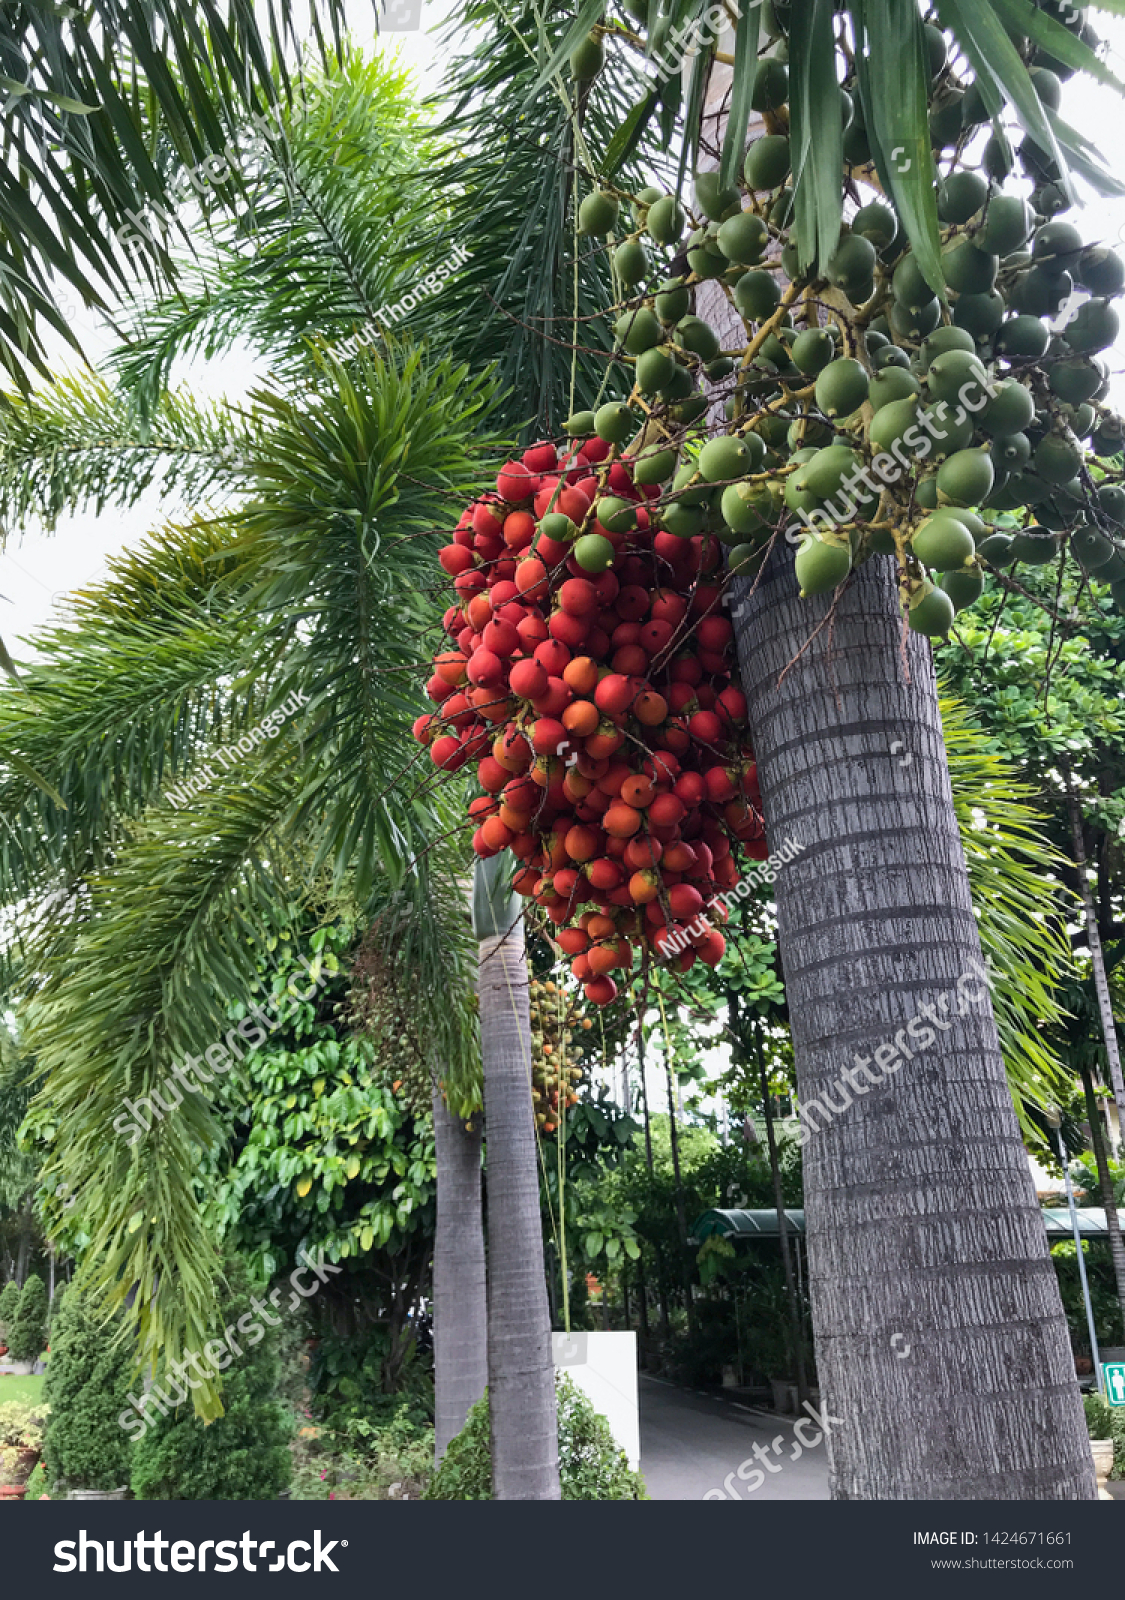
x: 924, y: 1231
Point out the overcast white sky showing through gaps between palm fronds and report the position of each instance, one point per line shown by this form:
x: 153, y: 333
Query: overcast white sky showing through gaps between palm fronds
x: 36, y: 569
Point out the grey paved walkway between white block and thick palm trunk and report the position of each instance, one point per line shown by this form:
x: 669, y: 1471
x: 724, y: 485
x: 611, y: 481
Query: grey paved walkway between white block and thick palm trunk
x: 692, y: 1442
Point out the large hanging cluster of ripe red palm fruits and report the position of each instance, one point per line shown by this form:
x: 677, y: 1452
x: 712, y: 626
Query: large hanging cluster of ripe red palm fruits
x: 601, y: 708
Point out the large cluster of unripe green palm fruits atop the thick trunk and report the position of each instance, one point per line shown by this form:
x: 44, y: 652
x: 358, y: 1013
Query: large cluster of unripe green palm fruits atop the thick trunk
x: 865, y: 412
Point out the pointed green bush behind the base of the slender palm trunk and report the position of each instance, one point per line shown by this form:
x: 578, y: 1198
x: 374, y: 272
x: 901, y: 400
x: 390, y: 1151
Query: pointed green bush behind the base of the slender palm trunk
x: 591, y: 1466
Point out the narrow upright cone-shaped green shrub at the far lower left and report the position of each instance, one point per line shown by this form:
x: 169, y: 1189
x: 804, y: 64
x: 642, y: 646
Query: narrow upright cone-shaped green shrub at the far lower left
x: 89, y: 1388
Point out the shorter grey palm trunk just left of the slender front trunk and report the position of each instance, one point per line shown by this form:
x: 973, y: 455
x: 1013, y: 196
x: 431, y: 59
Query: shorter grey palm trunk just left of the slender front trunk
x: 460, y: 1300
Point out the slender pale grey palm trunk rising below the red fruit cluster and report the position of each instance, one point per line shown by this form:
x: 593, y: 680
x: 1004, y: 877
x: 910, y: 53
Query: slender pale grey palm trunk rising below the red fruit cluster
x: 521, y: 1372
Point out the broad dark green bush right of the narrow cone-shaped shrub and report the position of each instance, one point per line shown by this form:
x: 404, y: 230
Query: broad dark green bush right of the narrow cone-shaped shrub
x: 242, y: 1455
